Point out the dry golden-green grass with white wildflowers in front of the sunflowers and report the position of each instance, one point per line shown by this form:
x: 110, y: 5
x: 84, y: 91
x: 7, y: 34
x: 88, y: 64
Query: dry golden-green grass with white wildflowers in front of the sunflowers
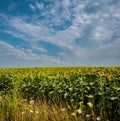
x: 22, y: 110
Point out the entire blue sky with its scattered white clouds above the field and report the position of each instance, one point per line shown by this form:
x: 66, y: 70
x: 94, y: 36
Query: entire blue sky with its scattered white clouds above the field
x: 59, y: 32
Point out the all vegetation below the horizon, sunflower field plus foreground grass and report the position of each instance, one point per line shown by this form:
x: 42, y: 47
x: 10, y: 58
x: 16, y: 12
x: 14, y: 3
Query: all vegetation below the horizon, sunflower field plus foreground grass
x: 60, y: 94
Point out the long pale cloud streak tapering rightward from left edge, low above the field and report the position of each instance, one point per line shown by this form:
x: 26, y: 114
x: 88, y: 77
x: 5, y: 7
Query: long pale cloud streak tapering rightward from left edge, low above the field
x: 11, y: 52
